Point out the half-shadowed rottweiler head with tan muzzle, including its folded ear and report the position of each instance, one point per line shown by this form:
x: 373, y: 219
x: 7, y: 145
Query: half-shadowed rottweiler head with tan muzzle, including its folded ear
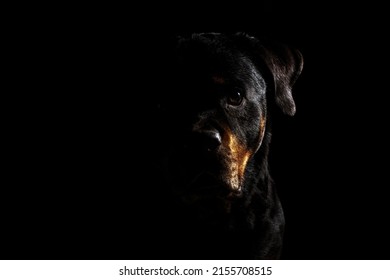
x: 216, y: 115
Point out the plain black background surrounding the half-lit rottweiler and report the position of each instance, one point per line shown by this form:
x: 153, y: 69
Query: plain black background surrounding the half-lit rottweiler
x: 80, y: 126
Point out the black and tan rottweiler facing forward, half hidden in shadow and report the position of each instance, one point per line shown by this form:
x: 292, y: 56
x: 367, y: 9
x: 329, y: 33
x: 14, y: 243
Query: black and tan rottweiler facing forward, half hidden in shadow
x: 218, y: 199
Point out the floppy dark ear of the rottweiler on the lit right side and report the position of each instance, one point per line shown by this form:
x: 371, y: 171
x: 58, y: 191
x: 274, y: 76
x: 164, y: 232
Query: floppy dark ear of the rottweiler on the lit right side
x: 283, y: 63
